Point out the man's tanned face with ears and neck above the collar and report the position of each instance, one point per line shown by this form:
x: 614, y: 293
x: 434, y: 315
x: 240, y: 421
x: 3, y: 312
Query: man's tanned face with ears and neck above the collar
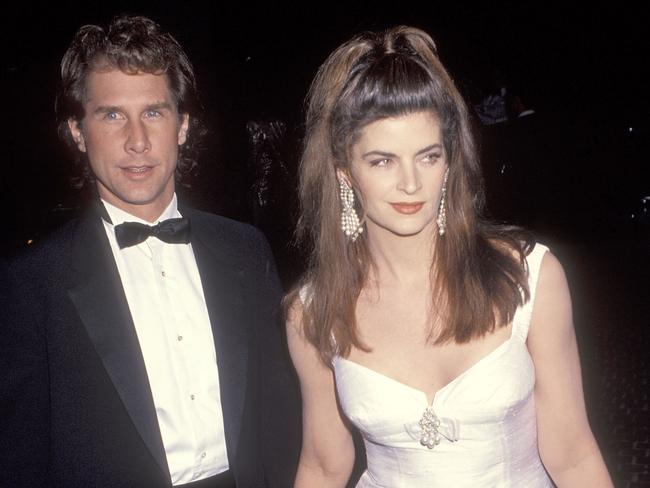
x: 131, y: 132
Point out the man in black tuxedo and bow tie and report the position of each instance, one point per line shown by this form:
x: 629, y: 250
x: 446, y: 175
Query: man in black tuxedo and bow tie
x: 140, y: 344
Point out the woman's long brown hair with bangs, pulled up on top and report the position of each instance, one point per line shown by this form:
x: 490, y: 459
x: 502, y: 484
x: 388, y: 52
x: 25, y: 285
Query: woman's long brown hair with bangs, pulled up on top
x: 478, y: 270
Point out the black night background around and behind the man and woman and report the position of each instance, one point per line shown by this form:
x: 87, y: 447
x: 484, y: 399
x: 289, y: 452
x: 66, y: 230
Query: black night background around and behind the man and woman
x: 575, y: 176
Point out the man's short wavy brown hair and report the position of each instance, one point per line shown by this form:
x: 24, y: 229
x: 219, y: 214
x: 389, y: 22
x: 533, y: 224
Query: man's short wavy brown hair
x: 131, y: 44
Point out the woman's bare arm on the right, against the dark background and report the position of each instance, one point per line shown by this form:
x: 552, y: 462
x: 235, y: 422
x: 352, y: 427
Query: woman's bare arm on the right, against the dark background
x: 567, y: 446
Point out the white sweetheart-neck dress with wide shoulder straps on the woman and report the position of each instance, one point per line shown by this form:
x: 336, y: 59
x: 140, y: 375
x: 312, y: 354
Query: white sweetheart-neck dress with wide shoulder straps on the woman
x: 484, y: 419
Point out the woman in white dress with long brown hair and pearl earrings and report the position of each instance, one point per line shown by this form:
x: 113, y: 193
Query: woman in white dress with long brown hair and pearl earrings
x: 445, y: 339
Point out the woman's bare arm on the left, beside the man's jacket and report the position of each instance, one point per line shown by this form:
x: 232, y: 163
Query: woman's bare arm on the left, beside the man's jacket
x: 327, y: 453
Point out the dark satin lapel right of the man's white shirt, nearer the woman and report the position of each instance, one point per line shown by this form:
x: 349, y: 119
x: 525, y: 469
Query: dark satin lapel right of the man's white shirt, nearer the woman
x: 223, y: 287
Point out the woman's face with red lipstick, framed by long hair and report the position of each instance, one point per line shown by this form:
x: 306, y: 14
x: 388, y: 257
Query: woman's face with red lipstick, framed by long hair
x: 398, y: 164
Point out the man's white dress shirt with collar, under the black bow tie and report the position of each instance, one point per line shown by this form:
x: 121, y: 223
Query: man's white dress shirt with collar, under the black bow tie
x: 165, y: 296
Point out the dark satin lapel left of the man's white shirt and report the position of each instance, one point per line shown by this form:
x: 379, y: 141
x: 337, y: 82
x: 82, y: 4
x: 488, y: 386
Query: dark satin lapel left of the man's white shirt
x: 99, y: 298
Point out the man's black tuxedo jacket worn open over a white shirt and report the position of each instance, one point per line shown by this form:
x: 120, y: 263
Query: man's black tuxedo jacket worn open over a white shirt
x: 76, y: 408
